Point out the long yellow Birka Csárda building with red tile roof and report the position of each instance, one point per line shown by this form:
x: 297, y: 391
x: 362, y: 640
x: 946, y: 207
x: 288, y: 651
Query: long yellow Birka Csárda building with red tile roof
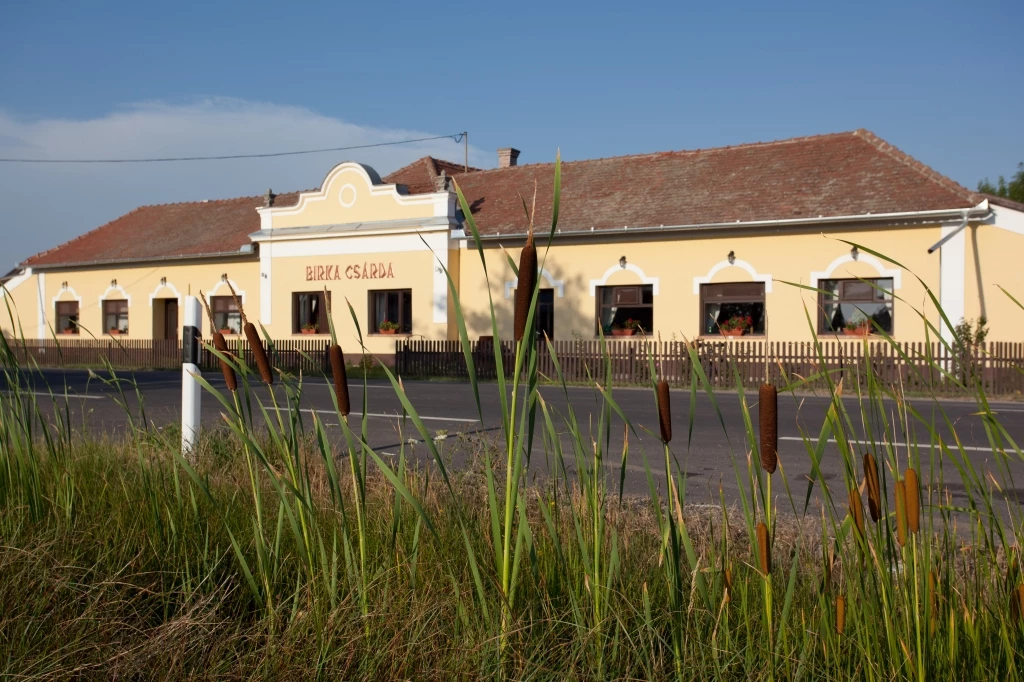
x: 681, y: 245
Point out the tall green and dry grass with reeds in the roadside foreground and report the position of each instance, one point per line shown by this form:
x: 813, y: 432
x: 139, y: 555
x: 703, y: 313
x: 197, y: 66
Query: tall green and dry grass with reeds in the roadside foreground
x: 282, y: 550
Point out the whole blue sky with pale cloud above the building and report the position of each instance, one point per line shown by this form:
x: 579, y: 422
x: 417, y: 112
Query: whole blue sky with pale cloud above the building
x: 938, y: 80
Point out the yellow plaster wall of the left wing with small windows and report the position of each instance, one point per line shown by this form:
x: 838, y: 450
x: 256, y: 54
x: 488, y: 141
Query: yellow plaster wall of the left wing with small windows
x: 139, y: 284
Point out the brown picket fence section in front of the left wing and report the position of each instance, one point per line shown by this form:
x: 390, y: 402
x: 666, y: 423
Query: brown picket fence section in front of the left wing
x: 309, y: 356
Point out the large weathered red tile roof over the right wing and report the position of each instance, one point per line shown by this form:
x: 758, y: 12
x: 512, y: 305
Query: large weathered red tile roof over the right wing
x: 851, y: 174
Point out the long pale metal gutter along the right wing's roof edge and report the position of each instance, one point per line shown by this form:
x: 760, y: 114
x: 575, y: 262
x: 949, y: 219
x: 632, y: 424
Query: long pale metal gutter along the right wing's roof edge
x: 979, y: 211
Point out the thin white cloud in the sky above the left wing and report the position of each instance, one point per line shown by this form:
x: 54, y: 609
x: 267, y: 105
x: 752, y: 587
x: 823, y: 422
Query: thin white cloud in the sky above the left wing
x: 48, y: 204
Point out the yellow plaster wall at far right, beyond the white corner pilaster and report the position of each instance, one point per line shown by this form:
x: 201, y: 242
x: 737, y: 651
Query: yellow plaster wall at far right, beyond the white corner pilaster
x: 994, y: 261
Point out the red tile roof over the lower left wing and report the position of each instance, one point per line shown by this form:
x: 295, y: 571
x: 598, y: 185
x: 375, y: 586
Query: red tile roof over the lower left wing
x: 165, y: 231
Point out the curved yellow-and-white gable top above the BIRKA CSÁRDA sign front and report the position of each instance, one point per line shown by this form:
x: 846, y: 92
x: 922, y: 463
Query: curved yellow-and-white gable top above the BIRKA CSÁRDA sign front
x: 349, y: 185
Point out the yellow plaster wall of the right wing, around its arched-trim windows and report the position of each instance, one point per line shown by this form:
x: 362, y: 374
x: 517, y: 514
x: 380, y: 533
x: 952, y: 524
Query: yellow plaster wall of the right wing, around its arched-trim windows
x: 676, y: 263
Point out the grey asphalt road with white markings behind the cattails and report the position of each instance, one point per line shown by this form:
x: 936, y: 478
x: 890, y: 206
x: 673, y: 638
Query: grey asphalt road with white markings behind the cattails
x: 707, y: 456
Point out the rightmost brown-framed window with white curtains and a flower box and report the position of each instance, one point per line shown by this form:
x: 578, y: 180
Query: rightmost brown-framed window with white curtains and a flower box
x: 851, y: 304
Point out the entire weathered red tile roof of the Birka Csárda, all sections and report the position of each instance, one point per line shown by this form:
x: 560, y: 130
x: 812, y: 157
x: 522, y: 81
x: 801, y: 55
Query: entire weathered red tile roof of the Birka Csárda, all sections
x: 850, y: 174
